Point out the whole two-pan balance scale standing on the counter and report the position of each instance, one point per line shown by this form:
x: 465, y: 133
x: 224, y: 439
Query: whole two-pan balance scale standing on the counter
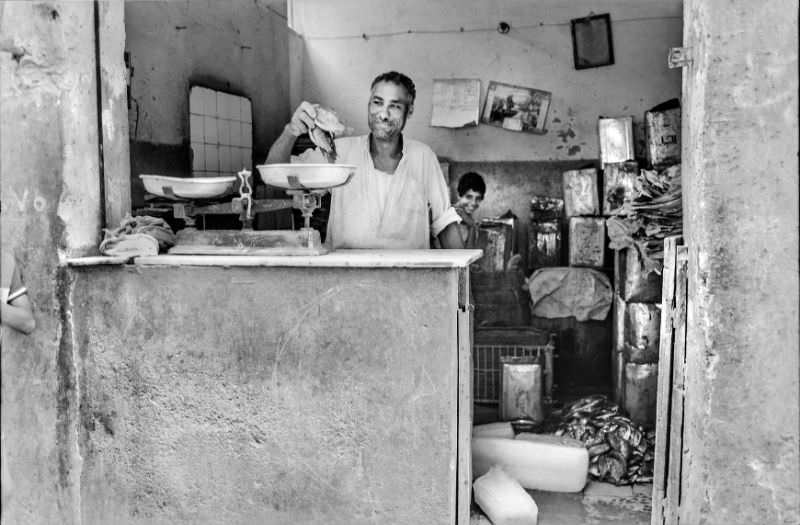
x: 190, y: 197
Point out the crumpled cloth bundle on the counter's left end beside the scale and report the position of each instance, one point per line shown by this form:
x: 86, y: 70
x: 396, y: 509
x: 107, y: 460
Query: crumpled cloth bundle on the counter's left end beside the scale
x: 138, y: 236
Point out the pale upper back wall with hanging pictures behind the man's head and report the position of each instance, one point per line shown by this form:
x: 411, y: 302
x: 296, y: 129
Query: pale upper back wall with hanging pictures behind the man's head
x: 340, y: 64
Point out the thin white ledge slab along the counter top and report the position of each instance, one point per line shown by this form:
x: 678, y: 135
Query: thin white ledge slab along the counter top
x: 335, y: 259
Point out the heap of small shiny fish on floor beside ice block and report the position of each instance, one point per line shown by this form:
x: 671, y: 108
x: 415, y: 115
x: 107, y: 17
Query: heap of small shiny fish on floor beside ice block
x: 620, y: 451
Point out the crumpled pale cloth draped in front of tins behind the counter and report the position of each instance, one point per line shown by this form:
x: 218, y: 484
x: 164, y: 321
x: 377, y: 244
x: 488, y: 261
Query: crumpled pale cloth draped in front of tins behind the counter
x: 563, y: 292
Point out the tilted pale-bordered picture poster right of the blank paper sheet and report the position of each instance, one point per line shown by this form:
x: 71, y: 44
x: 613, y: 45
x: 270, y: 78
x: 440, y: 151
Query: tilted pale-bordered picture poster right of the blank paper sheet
x: 516, y: 108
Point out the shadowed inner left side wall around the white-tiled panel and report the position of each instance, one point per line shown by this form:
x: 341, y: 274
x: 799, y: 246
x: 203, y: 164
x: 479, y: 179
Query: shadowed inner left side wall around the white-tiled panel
x: 237, y: 46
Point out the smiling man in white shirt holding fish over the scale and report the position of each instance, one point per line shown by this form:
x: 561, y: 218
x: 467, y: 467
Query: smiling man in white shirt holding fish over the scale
x: 398, y: 197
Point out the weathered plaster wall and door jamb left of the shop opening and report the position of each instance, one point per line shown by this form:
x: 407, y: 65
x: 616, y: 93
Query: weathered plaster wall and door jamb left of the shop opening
x: 50, y: 210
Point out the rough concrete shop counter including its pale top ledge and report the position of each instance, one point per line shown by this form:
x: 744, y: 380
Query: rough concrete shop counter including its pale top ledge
x: 272, y: 390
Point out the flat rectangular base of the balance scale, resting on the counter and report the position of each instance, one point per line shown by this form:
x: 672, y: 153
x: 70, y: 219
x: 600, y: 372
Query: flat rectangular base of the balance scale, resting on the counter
x: 248, y: 242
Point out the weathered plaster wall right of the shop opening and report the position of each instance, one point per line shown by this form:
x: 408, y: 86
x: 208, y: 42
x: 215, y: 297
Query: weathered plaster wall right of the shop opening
x: 741, y: 200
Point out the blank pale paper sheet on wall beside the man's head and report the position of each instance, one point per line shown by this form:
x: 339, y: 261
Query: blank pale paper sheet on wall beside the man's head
x: 456, y: 102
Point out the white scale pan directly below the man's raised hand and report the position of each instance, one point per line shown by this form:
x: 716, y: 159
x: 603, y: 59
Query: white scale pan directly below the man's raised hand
x: 306, y: 176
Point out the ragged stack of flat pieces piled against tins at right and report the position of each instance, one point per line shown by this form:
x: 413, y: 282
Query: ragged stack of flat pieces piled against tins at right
x: 655, y: 214
